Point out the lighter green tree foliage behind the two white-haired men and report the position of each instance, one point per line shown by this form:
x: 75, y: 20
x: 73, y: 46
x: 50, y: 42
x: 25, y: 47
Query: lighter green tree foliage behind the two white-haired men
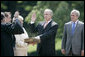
x: 61, y: 11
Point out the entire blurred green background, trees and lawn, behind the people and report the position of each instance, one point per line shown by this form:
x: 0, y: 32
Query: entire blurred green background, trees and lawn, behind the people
x: 61, y: 15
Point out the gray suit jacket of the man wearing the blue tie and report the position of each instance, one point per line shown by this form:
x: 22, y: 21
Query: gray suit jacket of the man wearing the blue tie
x: 76, y: 41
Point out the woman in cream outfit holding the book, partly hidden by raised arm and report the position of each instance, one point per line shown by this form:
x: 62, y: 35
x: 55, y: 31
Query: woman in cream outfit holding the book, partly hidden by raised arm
x: 20, y: 46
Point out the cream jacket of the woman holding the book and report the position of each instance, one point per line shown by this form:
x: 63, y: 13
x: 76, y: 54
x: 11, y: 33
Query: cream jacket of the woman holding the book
x: 20, y: 39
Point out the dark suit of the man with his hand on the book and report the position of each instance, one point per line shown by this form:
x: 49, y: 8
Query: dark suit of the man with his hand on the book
x: 47, y: 36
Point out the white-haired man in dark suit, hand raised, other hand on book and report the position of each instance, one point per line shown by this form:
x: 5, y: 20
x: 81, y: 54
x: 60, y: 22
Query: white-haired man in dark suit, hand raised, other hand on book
x: 47, y: 33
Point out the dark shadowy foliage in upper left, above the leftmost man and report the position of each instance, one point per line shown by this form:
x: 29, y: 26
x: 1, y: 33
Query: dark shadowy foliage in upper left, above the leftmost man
x: 24, y: 7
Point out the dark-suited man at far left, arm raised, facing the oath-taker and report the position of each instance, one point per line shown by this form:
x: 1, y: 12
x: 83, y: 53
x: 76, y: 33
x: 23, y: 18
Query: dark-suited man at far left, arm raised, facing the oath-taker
x: 7, y: 31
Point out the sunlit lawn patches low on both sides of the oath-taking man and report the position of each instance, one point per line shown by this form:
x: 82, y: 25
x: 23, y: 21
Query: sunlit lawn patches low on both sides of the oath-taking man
x: 32, y: 49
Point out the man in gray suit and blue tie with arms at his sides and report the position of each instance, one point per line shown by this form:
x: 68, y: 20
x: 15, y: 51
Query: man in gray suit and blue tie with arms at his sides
x: 73, y: 38
